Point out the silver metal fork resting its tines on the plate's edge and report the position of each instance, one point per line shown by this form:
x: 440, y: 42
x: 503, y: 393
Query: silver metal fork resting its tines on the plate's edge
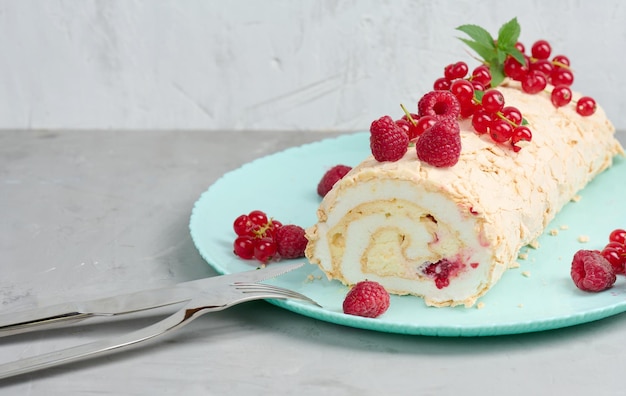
x: 208, y: 301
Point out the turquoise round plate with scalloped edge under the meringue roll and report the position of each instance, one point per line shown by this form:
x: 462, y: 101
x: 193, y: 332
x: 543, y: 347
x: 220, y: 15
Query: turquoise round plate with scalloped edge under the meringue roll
x: 539, y: 295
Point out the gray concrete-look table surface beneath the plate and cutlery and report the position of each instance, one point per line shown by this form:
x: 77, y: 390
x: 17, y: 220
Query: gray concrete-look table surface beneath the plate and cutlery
x: 97, y: 213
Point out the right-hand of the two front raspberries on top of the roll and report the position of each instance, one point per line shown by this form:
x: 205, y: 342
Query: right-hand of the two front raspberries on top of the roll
x: 440, y: 145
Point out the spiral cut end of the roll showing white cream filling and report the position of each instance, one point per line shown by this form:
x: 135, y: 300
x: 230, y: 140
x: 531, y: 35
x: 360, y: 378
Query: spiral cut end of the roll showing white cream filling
x: 434, y: 229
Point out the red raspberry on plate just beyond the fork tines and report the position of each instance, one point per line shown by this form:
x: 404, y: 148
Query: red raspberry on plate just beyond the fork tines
x: 366, y: 298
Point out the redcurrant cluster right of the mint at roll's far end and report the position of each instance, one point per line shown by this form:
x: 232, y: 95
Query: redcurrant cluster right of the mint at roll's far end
x: 538, y: 70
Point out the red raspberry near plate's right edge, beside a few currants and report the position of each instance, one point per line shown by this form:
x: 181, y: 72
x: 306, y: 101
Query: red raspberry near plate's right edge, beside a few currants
x: 592, y: 272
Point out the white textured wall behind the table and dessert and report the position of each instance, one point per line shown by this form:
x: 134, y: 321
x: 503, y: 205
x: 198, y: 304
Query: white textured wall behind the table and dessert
x: 322, y: 65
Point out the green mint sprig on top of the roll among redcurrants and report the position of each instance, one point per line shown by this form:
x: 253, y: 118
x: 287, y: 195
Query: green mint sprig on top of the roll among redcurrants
x: 494, y: 51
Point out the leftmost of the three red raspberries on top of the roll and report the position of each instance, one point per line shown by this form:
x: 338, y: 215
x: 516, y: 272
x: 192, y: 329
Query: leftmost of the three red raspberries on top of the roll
x: 388, y: 141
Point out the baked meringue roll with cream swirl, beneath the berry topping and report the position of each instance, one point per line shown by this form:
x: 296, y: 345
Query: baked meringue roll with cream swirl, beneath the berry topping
x: 449, y: 234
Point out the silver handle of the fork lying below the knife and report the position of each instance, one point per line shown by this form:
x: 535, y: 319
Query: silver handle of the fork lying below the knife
x: 97, y: 348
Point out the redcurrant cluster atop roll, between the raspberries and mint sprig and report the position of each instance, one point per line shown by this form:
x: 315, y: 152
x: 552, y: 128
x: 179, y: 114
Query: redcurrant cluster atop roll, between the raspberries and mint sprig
x: 484, y: 105
